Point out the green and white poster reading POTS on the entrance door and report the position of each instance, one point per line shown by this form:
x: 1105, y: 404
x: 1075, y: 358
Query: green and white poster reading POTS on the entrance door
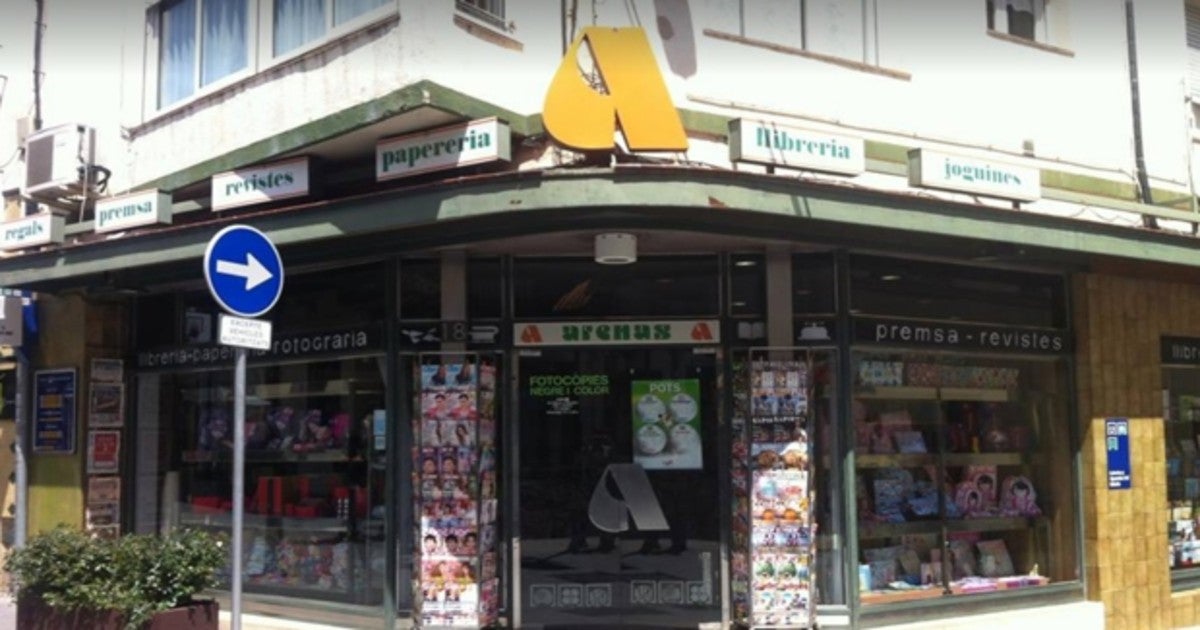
x: 667, y: 424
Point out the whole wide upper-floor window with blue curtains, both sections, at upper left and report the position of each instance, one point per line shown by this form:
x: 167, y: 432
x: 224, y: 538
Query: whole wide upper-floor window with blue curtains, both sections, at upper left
x: 205, y: 41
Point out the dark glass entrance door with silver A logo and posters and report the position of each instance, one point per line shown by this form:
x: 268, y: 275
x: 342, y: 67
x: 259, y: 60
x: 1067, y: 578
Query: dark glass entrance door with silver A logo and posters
x: 619, y: 489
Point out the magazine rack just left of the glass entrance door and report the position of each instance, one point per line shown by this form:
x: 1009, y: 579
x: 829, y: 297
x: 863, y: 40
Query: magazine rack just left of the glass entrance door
x: 455, y: 473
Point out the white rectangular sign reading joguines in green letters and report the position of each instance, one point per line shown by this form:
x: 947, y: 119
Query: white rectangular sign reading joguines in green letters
x: 935, y: 170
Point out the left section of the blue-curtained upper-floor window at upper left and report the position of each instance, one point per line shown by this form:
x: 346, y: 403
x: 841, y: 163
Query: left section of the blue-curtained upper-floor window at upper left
x: 201, y: 43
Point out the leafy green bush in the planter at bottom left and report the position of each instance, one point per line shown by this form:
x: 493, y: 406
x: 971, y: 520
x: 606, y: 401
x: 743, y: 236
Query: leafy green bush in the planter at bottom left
x: 136, y: 574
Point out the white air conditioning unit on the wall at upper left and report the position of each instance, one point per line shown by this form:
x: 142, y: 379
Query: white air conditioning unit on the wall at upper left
x: 58, y: 161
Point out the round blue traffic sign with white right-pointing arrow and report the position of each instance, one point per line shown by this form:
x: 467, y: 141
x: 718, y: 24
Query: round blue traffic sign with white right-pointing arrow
x: 244, y: 271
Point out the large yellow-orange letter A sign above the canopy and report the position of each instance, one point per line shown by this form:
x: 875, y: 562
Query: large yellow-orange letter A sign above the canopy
x: 579, y: 117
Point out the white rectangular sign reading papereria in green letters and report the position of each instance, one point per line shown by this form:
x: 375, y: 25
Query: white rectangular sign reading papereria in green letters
x: 473, y: 143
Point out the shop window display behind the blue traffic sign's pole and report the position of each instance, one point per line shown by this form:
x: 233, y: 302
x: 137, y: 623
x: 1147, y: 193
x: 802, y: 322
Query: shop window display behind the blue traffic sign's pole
x: 315, y: 476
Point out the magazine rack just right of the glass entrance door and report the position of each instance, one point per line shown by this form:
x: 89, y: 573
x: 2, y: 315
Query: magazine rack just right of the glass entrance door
x: 775, y: 533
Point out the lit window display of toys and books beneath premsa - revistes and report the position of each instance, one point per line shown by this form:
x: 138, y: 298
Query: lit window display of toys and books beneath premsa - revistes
x: 964, y: 479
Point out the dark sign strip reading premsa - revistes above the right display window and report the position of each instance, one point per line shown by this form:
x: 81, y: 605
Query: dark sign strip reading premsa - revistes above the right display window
x: 961, y: 337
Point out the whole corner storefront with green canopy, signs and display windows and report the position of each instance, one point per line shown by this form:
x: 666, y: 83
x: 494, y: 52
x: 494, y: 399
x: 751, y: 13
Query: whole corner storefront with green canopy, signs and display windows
x: 703, y: 370
